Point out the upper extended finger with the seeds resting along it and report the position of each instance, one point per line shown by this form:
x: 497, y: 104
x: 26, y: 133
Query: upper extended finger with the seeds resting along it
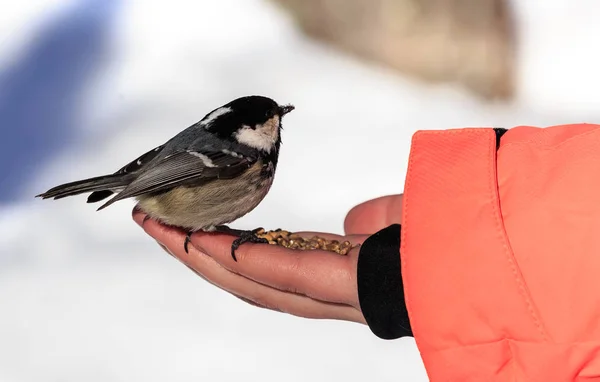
x: 317, y: 274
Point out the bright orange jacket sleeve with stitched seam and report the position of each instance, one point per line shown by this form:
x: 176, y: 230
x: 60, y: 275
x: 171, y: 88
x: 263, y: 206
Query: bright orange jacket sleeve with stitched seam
x: 500, y: 253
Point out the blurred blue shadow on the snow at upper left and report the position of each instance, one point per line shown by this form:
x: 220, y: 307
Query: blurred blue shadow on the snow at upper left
x: 39, y: 93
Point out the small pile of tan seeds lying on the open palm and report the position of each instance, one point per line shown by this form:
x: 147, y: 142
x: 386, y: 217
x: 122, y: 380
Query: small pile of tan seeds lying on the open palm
x: 291, y: 240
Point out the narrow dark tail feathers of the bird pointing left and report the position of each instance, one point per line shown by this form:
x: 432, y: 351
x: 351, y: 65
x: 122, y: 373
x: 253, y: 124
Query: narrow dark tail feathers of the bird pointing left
x: 100, y: 186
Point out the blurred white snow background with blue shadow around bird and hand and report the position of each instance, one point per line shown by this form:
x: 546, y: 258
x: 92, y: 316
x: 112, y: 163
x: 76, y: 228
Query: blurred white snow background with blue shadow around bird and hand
x: 88, y: 85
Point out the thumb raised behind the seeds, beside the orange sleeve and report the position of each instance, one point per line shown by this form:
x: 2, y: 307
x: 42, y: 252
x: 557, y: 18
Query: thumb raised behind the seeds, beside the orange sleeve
x: 373, y: 215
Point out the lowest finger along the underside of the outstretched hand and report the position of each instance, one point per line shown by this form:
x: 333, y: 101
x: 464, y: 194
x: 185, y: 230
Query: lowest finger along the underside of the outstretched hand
x: 242, y: 287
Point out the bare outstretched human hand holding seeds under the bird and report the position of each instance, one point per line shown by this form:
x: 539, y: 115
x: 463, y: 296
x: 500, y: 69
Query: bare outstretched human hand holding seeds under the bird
x: 311, y: 284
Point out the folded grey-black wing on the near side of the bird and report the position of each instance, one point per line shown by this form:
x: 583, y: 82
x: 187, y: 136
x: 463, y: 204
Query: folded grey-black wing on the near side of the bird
x: 185, y: 168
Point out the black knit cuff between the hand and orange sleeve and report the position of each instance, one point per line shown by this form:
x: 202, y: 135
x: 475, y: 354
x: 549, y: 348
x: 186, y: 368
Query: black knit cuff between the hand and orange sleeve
x: 380, y: 288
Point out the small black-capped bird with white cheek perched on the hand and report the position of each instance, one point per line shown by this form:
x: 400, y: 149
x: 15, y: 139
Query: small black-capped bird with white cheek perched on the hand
x: 210, y: 174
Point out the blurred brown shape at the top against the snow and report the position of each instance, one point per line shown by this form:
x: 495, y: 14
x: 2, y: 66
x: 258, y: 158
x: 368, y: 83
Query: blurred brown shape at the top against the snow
x: 469, y: 42
